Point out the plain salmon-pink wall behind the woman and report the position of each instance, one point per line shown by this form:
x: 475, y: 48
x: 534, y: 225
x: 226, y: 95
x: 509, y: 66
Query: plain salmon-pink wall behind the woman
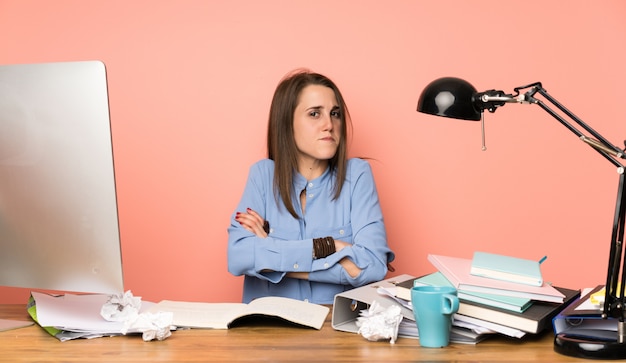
x: 190, y: 84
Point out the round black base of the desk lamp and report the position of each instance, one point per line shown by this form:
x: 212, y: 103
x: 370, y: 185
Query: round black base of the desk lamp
x: 590, y: 348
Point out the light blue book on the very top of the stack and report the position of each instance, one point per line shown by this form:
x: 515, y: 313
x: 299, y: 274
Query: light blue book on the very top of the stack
x: 506, y: 268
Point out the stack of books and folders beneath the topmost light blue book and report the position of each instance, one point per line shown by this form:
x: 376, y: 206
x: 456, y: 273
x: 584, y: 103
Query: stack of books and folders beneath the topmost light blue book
x: 508, y: 307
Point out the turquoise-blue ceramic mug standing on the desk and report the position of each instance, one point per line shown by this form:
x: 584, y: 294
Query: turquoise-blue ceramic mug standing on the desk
x: 433, y: 307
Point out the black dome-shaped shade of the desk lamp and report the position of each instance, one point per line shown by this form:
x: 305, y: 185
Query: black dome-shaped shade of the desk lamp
x: 449, y: 97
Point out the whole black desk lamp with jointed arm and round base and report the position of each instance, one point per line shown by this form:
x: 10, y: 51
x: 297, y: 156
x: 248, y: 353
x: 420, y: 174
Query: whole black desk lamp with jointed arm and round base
x: 456, y: 98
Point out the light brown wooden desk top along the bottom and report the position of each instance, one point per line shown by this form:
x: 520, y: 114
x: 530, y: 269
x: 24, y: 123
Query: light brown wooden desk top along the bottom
x: 258, y: 343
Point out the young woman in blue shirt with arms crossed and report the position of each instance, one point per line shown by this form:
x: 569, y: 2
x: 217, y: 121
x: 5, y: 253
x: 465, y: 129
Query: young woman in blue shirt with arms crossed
x: 309, y: 224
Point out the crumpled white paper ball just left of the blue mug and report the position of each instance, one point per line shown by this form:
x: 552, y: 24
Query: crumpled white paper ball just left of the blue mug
x: 379, y: 323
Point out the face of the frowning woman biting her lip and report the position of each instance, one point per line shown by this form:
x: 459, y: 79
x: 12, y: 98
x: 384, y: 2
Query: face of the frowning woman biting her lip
x: 316, y: 124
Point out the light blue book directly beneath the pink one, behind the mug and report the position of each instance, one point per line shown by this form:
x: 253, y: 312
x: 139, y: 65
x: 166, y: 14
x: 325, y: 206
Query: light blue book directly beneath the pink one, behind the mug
x: 510, y: 303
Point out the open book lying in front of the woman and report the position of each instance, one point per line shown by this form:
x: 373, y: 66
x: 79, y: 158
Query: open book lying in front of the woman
x: 223, y: 315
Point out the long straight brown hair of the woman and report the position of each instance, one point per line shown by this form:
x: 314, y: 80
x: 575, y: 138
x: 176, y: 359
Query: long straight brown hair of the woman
x: 281, y: 145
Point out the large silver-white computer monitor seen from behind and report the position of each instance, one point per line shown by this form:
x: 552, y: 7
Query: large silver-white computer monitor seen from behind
x: 59, y: 225
